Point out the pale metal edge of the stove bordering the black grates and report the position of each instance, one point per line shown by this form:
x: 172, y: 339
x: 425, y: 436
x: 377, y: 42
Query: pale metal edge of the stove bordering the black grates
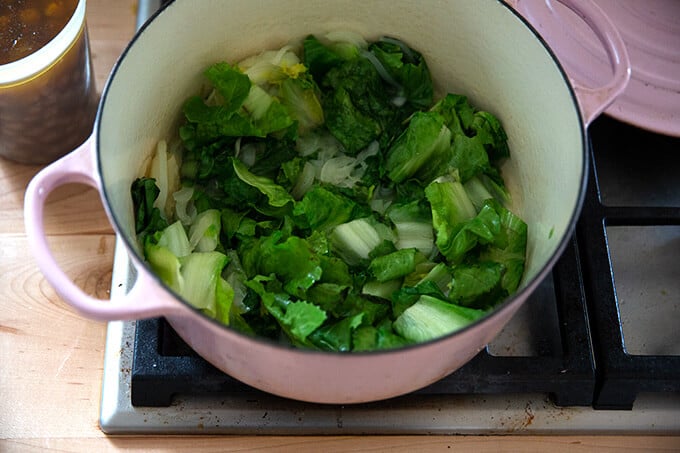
x: 459, y: 414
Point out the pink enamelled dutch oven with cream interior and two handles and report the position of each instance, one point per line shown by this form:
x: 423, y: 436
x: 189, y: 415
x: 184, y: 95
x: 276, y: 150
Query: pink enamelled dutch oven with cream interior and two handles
x: 480, y: 48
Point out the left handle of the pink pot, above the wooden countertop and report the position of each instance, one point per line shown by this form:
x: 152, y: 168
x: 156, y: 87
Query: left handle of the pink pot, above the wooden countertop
x: 78, y: 167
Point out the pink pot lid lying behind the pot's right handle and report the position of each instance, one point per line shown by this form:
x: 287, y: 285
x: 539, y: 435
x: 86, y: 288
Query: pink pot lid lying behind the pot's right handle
x: 651, y: 32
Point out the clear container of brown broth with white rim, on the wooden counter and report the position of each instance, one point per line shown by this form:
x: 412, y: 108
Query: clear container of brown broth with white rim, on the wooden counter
x: 48, y: 98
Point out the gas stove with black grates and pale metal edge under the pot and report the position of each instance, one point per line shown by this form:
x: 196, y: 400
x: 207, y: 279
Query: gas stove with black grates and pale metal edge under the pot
x: 595, y: 349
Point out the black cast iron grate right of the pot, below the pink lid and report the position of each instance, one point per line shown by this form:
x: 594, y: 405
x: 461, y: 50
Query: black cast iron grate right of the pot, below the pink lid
x: 653, y: 160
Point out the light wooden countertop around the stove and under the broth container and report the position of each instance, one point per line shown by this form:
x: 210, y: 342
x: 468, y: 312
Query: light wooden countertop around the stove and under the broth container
x: 51, y: 359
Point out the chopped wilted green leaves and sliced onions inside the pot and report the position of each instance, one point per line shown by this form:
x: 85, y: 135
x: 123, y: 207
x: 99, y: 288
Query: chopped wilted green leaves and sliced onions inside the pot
x: 318, y: 195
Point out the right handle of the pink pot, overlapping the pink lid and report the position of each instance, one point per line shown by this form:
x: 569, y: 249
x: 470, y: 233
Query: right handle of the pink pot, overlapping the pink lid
x: 592, y: 101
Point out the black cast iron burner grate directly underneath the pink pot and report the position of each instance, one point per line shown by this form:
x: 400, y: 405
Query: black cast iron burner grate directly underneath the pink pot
x: 164, y: 365
